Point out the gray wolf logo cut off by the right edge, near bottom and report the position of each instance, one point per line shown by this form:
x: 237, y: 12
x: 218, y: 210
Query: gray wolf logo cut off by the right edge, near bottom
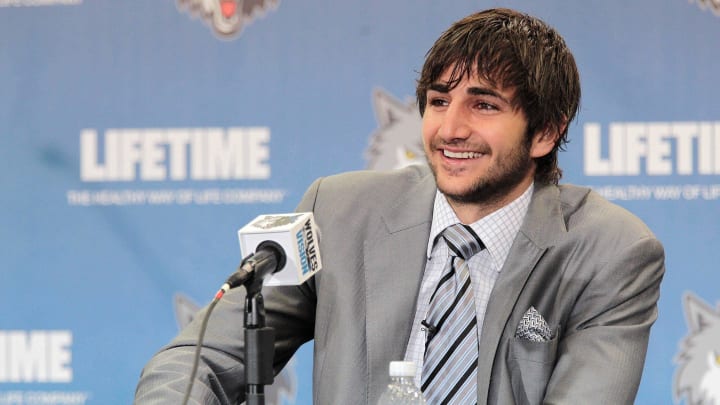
x: 698, y: 375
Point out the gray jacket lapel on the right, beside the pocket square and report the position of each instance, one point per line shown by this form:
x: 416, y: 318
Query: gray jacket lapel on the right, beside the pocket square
x: 543, y: 223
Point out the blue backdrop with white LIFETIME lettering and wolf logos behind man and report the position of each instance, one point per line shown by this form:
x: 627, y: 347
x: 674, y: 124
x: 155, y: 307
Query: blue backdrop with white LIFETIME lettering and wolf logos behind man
x: 137, y: 137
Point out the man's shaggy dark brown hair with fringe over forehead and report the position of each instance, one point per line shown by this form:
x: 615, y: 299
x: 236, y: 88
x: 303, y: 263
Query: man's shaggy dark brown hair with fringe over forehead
x: 512, y: 50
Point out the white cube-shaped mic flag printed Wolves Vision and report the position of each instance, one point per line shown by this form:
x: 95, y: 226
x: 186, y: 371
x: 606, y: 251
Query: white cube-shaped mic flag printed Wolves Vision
x: 296, y: 233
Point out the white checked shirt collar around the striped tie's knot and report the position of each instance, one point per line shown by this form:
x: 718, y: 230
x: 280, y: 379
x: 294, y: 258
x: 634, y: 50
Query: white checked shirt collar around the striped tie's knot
x: 497, y: 230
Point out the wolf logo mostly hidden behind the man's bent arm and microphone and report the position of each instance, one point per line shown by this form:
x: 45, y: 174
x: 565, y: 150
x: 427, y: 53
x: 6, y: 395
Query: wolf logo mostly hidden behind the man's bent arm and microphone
x: 284, y: 388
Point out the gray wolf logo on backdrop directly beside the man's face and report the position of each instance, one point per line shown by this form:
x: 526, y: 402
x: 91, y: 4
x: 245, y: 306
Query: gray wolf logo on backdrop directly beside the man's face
x: 397, y: 141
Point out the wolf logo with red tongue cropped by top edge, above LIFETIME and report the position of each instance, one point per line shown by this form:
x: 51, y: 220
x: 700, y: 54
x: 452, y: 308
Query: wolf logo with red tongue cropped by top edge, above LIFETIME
x: 227, y: 17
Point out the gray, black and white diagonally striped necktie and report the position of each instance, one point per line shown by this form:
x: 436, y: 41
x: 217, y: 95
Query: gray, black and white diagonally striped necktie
x: 449, y: 374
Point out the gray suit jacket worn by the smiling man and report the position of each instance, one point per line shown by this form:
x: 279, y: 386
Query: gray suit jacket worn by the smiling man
x: 589, y: 267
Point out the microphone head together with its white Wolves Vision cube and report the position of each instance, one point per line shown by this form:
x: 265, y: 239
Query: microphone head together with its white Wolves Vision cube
x: 285, y: 247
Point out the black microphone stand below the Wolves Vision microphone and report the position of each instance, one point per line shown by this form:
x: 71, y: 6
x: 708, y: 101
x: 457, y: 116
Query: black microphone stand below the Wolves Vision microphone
x: 259, y: 345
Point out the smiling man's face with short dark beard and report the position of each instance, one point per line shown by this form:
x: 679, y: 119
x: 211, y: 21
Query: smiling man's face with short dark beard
x: 475, y: 142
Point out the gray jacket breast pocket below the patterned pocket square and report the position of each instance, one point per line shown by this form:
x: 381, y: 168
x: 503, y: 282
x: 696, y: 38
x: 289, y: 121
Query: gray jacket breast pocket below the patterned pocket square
x: 531, y: 364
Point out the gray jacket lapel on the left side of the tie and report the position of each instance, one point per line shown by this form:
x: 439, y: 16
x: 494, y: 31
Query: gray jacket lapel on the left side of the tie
x: 394, y: 264
